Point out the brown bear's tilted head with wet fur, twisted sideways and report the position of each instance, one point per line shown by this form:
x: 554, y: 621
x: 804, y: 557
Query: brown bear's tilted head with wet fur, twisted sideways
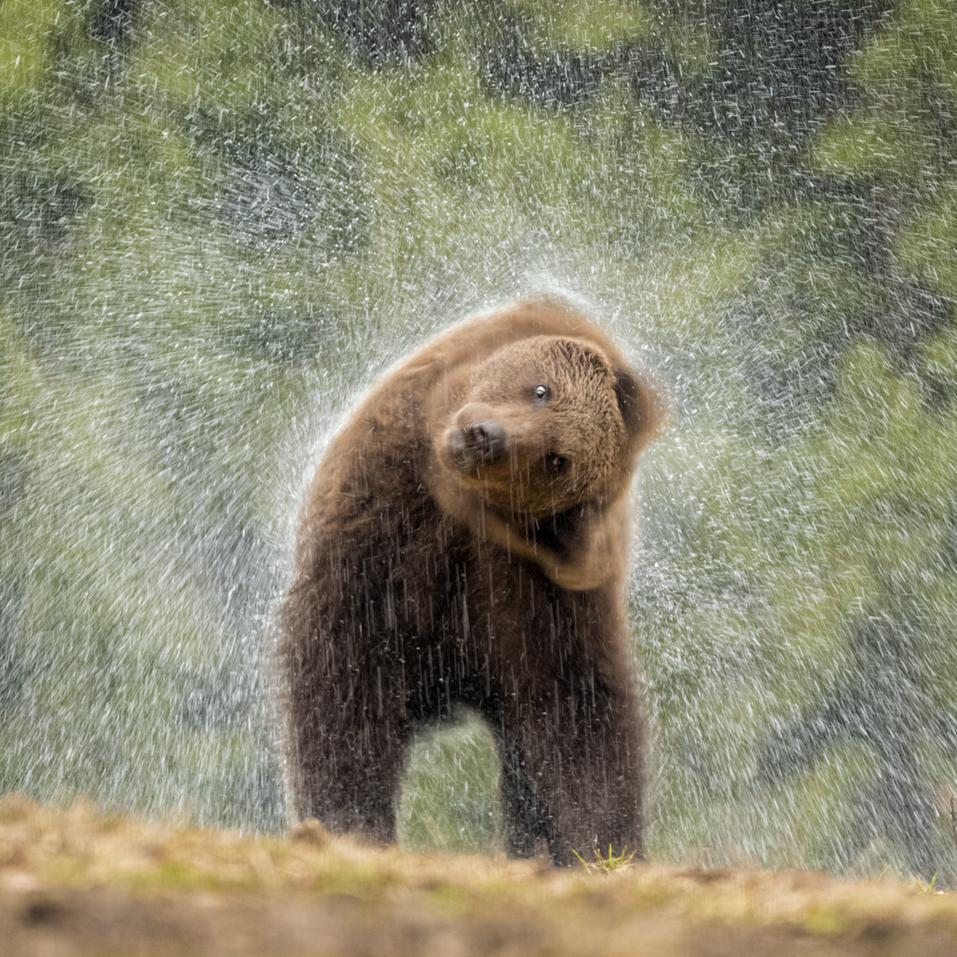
x: 545, y: 424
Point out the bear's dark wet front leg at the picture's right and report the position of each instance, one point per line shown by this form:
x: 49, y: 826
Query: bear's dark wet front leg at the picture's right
x: 583, y: 763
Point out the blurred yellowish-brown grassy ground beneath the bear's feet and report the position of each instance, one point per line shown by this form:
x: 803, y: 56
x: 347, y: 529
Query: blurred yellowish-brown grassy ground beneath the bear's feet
x: 81, y: 882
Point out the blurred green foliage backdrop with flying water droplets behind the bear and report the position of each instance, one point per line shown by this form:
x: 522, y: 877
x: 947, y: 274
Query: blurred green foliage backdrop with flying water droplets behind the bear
x: 217, y: 220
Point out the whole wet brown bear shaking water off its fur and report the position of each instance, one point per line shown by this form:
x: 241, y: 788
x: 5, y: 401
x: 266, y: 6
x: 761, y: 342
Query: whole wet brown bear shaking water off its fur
x: 464, y: 542
